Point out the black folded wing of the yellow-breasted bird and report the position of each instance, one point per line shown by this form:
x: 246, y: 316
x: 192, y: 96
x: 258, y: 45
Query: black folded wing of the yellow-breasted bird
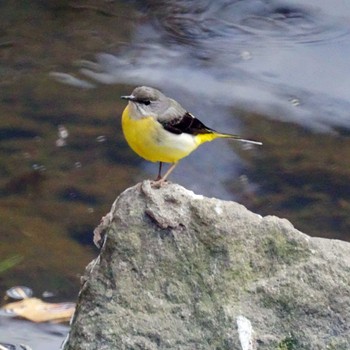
x: 186, y: 124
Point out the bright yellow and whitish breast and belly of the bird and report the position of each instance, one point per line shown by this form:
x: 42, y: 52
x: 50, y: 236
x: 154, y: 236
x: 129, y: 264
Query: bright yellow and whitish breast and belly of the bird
x: 152, y: 142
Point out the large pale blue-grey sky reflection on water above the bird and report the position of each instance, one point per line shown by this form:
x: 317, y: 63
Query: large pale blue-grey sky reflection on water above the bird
x: 255, y: 54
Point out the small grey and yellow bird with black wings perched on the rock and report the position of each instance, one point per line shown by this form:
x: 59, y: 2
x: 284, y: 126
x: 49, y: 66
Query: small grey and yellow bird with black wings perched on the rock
x: 159, y: 129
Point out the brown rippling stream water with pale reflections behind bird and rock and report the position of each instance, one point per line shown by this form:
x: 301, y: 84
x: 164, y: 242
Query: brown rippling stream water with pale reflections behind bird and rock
x: 276, y: 71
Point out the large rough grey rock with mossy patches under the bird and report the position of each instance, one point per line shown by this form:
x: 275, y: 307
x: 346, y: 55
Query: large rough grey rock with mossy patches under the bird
x: 181, y: 271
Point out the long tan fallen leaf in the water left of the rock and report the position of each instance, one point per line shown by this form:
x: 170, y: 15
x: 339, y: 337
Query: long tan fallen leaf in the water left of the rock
x: 37, y: 310
